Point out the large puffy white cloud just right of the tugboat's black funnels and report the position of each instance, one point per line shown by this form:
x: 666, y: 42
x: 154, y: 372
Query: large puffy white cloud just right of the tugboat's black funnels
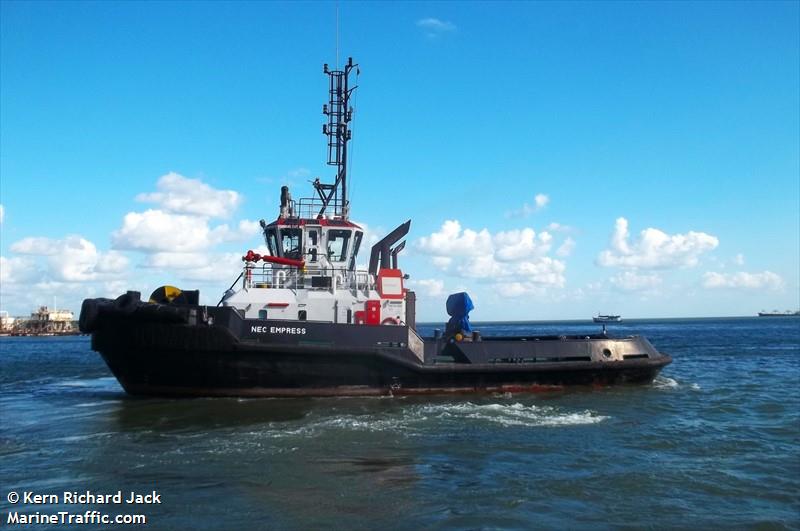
x: 514, y: 261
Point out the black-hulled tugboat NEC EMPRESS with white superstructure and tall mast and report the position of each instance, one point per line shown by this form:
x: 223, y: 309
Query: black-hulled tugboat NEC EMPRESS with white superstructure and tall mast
x: 303, y: 320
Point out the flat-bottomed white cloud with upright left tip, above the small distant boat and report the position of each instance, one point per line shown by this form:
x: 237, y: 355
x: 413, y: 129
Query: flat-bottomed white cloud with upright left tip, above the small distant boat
x: 655, y: 249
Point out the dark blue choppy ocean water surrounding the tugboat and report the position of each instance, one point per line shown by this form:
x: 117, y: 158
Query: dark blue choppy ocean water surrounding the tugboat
x: 713, y: 443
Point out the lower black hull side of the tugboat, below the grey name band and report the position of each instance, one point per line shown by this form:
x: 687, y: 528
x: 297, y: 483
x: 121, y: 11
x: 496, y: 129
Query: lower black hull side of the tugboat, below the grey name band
x: 262, y: 372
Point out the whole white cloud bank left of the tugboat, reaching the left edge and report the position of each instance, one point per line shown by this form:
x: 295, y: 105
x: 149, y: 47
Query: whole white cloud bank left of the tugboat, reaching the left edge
x: 176, y: 237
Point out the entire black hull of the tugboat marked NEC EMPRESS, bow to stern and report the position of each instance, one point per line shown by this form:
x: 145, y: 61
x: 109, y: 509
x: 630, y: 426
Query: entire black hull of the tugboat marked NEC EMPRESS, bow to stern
x: 237, y: 357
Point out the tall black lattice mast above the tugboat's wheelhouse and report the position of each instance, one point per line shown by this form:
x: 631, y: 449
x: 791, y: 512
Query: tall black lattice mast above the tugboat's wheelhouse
x: 337, y: 129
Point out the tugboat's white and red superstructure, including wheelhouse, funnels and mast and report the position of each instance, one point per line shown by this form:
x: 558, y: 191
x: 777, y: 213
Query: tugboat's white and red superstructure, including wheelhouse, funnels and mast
x: 311, y: 272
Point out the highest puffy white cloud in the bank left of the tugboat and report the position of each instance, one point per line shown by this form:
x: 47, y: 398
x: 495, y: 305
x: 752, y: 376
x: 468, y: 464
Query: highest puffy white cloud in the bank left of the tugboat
x: 181, y: 195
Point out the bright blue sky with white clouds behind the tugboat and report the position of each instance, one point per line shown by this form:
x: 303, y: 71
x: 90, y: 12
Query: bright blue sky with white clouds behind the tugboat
x: 556, y: 159
